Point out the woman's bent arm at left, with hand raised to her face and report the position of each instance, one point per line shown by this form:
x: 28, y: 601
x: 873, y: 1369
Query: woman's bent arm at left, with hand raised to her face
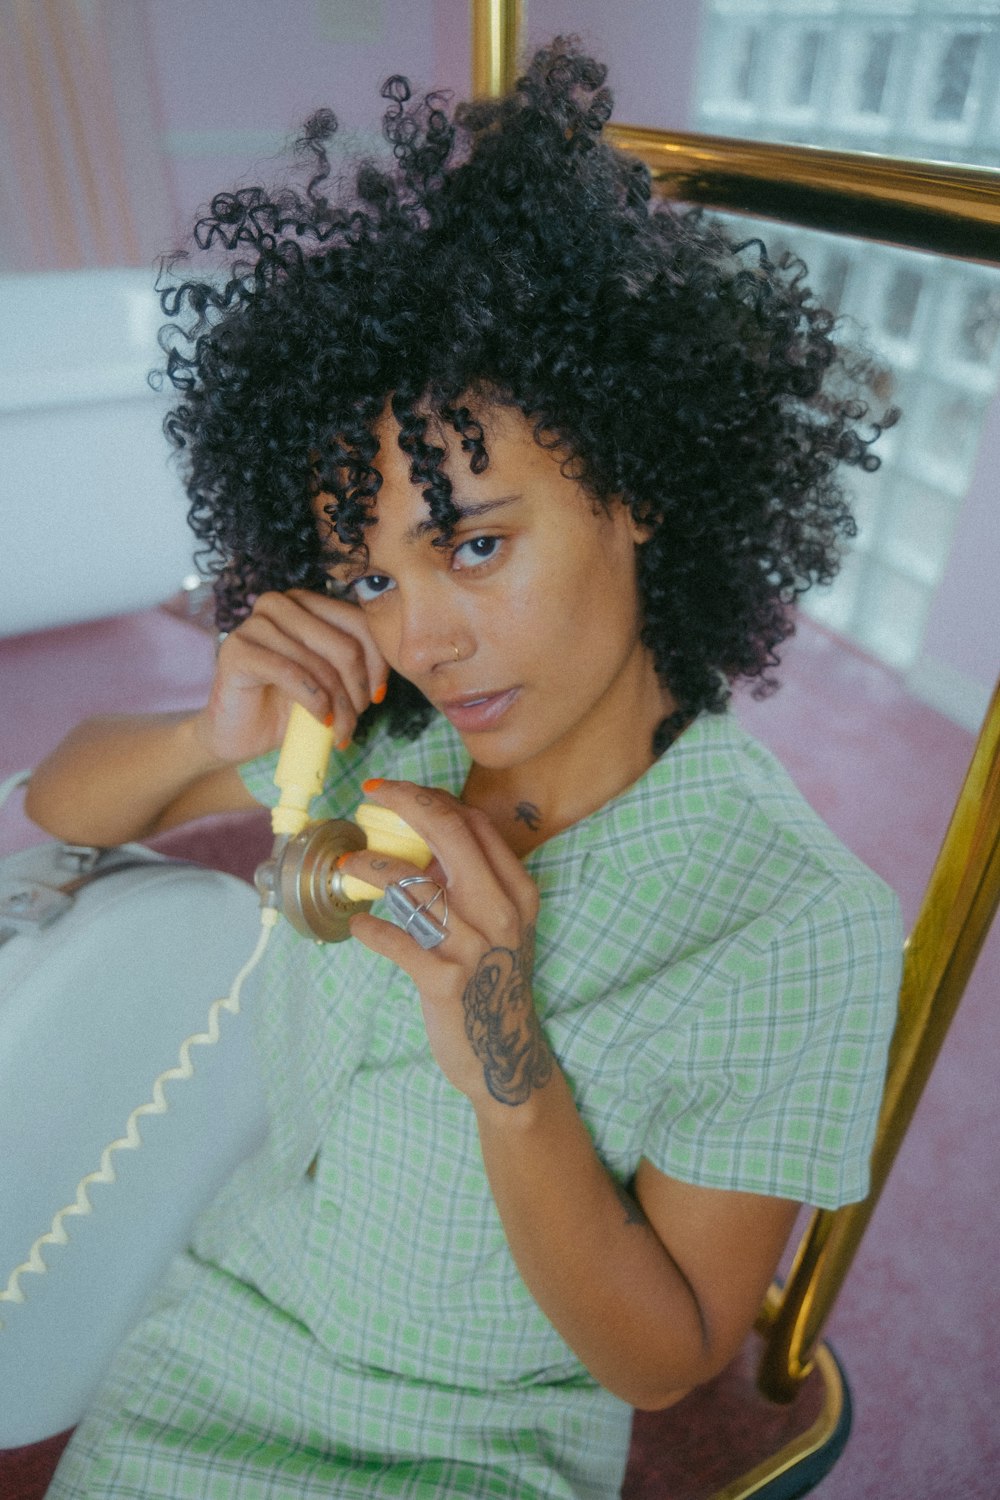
x: 131, y: 776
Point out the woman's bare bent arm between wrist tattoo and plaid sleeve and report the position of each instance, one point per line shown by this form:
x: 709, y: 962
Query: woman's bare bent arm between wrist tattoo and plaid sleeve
x: 654, y: 1292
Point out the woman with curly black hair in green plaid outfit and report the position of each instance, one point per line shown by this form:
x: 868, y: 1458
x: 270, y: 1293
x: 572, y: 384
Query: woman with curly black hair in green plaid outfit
x: 507, y: 476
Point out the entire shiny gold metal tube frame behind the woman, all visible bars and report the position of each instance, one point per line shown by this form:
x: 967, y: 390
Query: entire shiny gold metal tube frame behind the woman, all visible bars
x: 923, y: 206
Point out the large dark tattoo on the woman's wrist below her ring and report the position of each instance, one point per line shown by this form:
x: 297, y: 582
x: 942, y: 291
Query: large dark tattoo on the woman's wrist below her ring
x: 503, y: 1025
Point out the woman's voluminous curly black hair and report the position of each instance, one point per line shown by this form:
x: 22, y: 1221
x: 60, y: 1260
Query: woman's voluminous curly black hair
x: 512, y: 259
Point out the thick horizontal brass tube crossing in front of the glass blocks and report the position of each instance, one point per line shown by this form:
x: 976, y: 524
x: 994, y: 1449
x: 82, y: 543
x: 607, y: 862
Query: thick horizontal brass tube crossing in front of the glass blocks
x: 924, y: 206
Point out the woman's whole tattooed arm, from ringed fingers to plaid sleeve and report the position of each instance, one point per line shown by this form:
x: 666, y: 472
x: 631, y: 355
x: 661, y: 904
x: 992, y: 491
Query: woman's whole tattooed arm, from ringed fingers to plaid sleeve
x: 654, y: 1294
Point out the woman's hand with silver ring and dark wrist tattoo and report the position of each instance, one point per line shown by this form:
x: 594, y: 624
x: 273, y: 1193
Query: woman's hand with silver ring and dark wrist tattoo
x: 476, y: 985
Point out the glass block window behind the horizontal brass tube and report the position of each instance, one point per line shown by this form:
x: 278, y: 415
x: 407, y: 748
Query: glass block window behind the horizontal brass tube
x: 908, y: 79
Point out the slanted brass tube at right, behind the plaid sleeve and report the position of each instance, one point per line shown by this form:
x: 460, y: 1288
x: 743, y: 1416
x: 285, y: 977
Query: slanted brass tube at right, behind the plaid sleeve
x: 959, y: 907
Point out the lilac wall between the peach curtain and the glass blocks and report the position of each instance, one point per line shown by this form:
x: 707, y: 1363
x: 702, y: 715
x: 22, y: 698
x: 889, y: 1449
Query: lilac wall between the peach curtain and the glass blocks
x: 238, y: 76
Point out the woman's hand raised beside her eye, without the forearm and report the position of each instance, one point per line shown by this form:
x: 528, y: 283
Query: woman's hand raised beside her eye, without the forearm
x: 295, y: 647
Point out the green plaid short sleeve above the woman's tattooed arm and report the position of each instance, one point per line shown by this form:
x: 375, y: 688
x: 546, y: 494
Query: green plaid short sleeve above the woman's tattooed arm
x: 777, y: 1078
